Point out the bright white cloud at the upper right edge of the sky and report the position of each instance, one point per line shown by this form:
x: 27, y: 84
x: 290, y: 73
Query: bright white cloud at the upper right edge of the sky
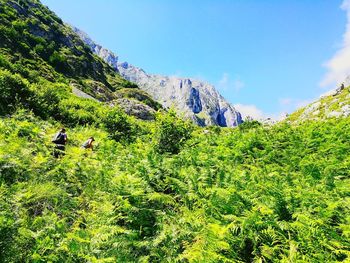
x: 339, y: 65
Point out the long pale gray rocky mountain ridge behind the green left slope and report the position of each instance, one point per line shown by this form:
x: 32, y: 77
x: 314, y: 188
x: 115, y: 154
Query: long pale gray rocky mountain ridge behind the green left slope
x: 194, y: 99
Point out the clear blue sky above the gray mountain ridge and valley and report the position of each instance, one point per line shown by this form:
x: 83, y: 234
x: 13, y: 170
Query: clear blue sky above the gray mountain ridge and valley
x: 266, y: 56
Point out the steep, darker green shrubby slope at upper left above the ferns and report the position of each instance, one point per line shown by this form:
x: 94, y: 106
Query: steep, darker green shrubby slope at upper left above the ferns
x: 39, y: 45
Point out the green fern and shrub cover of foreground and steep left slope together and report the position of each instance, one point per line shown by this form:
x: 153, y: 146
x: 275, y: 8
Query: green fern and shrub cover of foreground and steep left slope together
x: 153, y: 191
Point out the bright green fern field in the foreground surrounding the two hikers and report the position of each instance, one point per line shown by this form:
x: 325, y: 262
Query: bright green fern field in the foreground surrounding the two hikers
x: 260, y: 194
